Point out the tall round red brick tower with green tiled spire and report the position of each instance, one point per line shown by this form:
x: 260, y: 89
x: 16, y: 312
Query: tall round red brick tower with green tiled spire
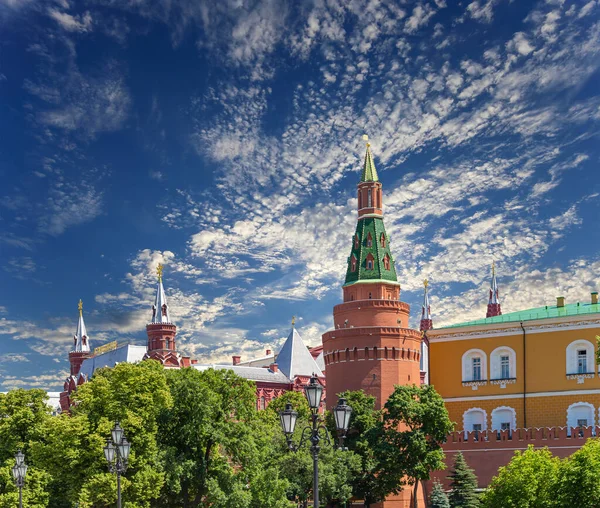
x: 371, y: 347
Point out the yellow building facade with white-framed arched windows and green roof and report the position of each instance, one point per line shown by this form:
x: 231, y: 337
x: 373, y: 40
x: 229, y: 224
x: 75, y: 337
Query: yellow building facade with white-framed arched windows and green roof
x: 528, y: 369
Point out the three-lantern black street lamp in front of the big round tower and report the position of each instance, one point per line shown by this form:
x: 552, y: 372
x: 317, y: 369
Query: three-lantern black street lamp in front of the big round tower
x: 314, y: 393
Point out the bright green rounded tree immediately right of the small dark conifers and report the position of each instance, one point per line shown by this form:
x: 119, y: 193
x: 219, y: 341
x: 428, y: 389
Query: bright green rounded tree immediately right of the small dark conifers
x: 527, y: 481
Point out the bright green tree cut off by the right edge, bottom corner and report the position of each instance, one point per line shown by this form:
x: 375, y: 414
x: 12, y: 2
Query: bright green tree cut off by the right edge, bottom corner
x: 577, y: 477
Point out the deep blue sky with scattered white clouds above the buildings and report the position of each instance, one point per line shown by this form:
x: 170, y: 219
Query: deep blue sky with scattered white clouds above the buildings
x: 224, y: 139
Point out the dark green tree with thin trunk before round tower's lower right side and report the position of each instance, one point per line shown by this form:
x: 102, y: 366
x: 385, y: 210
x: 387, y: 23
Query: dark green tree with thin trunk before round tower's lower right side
x: 409, y: 437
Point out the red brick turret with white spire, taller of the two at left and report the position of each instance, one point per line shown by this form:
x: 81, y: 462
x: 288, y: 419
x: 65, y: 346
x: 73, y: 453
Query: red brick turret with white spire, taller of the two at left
x: 161, y: 332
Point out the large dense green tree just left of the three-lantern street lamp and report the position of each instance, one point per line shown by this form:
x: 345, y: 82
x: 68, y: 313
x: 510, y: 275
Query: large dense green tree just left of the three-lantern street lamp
x: 215, y: 443
